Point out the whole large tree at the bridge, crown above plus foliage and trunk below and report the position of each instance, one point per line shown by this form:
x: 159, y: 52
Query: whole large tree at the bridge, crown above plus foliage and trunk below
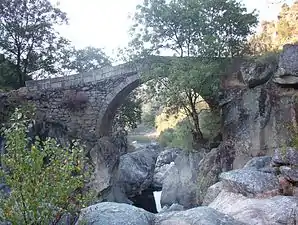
x: 208, y: 29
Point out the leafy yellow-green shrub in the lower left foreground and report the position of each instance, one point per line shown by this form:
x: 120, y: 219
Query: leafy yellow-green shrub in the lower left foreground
x: 47, y: 181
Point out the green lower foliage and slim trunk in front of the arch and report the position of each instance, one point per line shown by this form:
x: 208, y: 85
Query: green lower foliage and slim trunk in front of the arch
x: 180, y: 83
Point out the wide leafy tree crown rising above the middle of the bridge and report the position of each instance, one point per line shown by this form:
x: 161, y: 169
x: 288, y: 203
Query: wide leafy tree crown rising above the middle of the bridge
x: 190, y: 28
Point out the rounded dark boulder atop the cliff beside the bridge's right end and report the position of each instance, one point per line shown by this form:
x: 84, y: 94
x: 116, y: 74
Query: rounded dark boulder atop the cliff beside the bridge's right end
x: 255, y: 73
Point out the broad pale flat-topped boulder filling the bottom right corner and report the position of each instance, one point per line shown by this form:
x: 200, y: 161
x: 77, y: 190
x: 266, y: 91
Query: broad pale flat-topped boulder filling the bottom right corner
x: 278, y: 210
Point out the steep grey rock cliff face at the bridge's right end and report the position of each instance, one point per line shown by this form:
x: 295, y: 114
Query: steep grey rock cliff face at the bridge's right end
x: 260, y: 106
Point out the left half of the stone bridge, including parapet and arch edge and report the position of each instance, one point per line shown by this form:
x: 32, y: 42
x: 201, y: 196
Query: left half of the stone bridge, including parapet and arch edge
x: 86, y: 103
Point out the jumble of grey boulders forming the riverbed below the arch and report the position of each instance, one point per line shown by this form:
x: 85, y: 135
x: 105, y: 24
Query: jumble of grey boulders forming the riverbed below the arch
x: 263, y: 192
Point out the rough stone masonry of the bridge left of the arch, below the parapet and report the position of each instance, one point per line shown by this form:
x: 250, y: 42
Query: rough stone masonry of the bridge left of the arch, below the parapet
x: 83, y: 107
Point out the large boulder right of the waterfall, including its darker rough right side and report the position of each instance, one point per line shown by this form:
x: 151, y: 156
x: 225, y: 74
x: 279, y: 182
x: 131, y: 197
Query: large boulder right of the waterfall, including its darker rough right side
x: 192, y: 174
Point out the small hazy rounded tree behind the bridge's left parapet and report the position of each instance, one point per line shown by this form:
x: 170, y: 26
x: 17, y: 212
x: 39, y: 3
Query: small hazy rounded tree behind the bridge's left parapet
x: 87, y: 59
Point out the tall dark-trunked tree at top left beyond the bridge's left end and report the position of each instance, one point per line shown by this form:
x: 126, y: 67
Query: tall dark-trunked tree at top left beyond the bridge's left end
x: 28, y: 38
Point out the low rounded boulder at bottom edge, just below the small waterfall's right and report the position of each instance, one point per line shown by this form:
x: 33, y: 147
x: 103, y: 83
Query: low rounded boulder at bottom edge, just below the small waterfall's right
x: 195, y: 216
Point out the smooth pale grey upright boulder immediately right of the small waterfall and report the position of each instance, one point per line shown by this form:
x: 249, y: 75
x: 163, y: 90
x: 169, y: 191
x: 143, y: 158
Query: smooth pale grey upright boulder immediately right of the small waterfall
x: 180, y: 186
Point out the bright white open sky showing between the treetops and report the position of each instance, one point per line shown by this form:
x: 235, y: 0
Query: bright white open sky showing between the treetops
x: 105, y: 23
